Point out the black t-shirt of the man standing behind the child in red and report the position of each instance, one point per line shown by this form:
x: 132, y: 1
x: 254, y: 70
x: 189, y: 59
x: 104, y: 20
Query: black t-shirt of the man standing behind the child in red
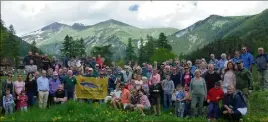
x: 211, y: 79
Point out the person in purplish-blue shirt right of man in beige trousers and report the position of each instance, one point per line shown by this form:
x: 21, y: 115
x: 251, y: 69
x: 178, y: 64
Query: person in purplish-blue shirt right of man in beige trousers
x: 54, y: 82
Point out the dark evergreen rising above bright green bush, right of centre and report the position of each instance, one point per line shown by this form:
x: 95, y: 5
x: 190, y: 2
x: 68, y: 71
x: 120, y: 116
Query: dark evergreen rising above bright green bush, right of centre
x: 162, y: 42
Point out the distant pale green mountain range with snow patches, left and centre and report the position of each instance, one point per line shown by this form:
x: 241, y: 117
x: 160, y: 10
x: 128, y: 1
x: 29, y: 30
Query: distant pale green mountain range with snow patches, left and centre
x: 107, y: 32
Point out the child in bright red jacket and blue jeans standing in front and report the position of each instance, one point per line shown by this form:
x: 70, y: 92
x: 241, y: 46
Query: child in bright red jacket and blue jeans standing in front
x: 214, y: 96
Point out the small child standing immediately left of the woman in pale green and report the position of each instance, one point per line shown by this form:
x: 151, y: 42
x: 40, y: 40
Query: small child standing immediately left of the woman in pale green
x: 187, y: 101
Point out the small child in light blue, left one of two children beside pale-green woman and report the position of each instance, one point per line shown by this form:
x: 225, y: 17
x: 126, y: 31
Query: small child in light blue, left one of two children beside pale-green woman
x: 180, y: 101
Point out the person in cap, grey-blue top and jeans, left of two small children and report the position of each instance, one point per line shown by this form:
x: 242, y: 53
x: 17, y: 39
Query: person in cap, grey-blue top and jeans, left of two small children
x: 168, y: 88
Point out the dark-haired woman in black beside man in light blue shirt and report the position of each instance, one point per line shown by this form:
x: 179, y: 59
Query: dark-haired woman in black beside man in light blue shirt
x: 31, y: 89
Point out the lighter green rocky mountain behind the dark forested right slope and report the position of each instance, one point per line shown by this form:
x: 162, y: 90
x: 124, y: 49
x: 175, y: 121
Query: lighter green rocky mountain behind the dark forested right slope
x: 203, y: 32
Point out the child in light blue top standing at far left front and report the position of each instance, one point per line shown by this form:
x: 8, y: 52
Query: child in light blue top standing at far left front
x: 8, y: 102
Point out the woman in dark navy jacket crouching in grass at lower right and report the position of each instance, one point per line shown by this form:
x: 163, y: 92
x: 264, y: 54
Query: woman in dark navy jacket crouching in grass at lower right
x: 234, y: 104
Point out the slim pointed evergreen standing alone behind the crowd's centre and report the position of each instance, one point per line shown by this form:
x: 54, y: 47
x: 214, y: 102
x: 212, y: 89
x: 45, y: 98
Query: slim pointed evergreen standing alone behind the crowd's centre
x: 130, y: 53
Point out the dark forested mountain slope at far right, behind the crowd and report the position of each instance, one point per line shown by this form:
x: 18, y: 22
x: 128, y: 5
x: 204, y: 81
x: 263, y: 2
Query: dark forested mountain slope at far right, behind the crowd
x: 252, y: 33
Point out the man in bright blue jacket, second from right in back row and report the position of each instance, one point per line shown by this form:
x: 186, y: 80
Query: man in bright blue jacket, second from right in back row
x: 247, y: 58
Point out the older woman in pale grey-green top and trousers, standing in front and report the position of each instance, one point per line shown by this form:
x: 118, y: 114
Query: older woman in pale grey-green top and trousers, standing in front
x: 198, y: 93
